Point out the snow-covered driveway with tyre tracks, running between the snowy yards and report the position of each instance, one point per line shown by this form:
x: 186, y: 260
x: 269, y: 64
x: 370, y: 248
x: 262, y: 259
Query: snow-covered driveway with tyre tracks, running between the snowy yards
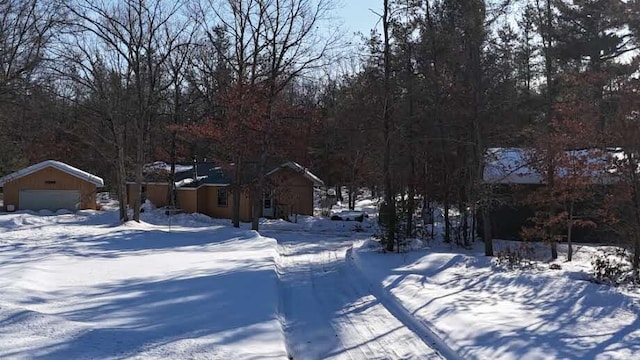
x: 329, y: 310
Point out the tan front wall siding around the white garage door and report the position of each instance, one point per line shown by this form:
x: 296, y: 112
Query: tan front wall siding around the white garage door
x: 38, y: 181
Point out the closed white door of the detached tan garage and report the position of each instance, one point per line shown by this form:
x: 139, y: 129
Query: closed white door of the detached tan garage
x: 49, y: 200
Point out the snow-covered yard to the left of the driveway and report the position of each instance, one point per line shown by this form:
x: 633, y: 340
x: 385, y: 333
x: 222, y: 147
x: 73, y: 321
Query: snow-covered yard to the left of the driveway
x: 81, y: 286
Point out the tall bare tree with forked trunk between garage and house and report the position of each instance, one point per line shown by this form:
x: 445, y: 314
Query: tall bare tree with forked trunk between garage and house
x: 132, y: 41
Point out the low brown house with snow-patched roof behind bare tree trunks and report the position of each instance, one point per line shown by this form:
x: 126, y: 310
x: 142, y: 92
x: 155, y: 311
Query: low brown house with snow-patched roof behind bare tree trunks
x: 205, y: 187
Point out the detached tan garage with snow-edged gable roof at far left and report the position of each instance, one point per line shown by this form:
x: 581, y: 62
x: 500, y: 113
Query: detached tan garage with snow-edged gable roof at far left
x: 50, y: 185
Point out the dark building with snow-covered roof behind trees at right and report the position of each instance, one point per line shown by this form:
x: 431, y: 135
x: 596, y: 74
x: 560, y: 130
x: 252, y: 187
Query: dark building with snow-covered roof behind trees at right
x: 513, y: 176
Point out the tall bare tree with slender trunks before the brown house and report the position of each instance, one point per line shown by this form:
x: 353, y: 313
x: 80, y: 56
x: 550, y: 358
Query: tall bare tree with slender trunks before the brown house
x: 273, y: 42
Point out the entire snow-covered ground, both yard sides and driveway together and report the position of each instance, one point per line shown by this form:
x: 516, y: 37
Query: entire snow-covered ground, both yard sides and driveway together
x: 188, y: 286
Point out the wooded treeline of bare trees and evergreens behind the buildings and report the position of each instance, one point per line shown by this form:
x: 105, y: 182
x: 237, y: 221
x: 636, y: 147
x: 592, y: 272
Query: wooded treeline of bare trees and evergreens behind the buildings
x: 109, y: 86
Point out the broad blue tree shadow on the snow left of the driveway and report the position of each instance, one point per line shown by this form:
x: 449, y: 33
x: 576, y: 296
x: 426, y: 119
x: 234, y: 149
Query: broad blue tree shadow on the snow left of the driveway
x: 144, y: 315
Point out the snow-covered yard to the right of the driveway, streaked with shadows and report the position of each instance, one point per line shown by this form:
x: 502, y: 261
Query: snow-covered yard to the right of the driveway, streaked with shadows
x: 483, y: 312
